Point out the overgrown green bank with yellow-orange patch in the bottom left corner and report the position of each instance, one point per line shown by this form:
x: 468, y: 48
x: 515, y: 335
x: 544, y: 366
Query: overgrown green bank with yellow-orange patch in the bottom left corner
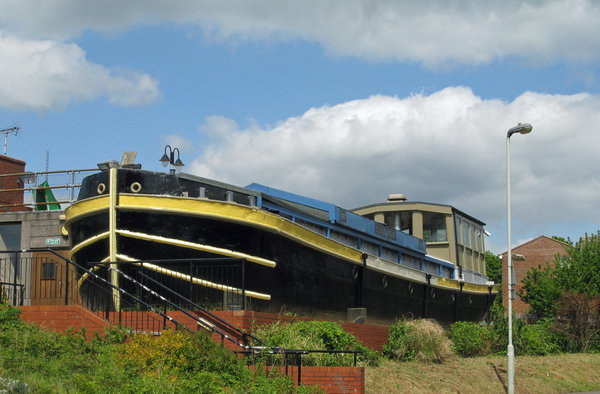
x: 35, y: 360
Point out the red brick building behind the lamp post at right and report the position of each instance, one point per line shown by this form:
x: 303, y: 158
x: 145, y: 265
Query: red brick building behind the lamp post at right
x: 538, y: 251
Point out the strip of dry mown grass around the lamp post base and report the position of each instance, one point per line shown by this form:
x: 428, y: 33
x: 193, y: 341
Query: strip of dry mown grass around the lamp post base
x: 533, y: 374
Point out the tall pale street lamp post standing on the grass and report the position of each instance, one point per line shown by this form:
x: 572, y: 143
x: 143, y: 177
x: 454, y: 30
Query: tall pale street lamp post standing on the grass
x: 523, y: 128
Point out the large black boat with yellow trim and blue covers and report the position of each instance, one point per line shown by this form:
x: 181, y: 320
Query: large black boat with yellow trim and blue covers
x: 301, y: 255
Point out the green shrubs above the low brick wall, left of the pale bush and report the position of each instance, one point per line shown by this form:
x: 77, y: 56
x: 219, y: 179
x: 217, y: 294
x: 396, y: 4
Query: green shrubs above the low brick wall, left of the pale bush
x: 315, y: 335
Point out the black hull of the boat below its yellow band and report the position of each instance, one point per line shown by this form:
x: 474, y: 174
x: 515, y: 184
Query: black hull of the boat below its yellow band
x: 305, y: 281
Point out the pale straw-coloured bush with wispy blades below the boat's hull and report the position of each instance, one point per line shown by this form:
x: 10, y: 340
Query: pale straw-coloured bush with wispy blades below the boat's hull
x: 422, y: 340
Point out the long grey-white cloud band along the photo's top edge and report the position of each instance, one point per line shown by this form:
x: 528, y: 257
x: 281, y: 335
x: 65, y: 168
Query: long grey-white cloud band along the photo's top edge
x: 434, y: 33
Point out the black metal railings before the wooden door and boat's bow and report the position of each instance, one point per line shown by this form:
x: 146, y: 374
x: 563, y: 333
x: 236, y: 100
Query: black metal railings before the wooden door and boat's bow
x: 128, y: 294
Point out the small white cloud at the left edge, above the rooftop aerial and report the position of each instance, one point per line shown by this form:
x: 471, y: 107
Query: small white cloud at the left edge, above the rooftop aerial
x: 47, y: 75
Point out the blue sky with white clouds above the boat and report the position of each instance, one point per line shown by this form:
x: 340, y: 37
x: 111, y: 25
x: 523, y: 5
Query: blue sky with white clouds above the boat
x: 345, y: 101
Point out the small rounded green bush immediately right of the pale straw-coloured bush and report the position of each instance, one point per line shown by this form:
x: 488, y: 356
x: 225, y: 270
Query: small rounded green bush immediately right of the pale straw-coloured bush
x: 469, y: 338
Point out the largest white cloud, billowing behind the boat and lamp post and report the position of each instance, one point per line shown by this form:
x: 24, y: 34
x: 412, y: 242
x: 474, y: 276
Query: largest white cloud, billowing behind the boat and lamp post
x: 448, y: 147
